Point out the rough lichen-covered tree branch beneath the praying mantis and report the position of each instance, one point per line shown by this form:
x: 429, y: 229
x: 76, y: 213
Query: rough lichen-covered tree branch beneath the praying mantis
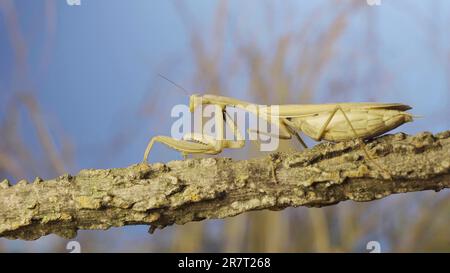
x: 196, y: 189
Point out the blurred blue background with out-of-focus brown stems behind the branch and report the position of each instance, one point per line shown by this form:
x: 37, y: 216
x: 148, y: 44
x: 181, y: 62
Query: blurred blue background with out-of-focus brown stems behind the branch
x: 79, y: 89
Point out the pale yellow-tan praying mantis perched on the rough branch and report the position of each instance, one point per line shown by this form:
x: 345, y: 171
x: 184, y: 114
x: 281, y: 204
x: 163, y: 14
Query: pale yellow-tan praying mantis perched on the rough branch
x: 334, y: 122
